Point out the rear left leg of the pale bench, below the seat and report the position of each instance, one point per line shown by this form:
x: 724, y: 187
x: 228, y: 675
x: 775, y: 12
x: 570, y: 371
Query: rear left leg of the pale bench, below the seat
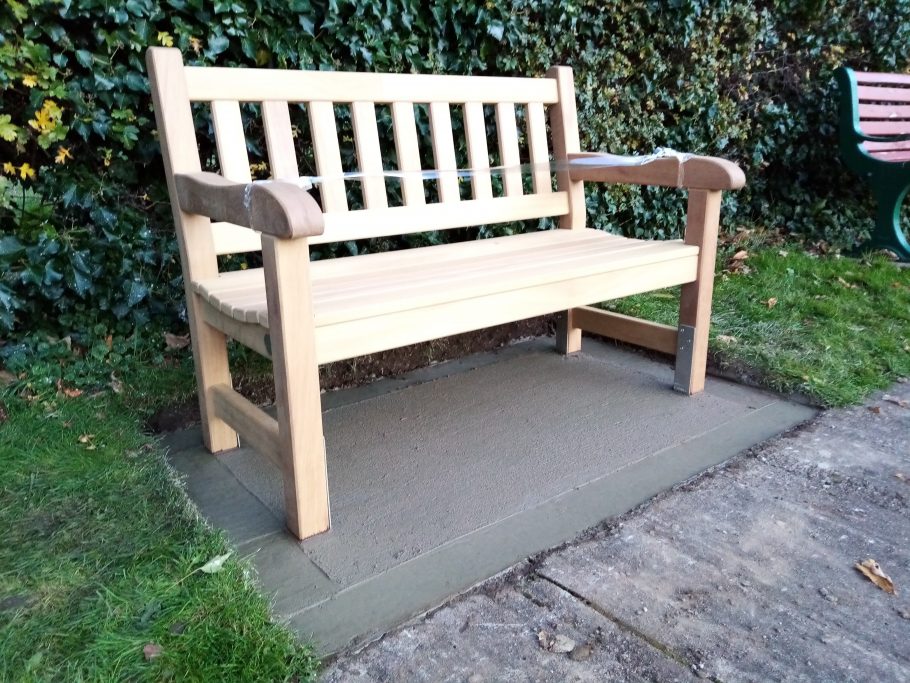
x: 211, y: 363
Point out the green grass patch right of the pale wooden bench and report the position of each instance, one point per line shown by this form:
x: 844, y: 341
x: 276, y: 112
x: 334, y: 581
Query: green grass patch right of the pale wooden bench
x: 835, y: 329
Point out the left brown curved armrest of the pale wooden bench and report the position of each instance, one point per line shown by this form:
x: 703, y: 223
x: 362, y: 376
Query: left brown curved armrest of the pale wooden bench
x: 275, y: 208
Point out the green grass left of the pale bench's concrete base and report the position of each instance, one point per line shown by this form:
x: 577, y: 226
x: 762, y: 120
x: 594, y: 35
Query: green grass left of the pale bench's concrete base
x: 99, y: 551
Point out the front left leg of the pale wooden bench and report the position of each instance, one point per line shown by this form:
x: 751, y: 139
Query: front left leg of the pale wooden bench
x: 293, y: 342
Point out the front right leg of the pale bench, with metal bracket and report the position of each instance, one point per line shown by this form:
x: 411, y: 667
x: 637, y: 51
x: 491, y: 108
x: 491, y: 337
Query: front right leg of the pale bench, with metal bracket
x: 702, y: 223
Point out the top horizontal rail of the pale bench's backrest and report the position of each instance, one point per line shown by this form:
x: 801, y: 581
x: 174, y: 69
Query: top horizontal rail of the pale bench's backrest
x: 258, y: 85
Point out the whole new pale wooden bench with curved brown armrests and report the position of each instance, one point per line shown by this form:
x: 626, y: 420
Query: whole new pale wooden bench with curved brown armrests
x: 301, y: 313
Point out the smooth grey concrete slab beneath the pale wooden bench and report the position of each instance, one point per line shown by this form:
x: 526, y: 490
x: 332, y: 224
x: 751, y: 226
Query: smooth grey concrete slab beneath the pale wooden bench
x: 448, y: 476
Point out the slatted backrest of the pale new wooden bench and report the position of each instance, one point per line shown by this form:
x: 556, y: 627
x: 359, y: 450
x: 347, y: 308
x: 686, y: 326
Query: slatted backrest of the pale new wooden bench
x: 519, y: 107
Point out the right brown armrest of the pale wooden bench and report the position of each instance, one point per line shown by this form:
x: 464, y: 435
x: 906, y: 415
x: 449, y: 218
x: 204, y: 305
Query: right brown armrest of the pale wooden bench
x: 691, y: 172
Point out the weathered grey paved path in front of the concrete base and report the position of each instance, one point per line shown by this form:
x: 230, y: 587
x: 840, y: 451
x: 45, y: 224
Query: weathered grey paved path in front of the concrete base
x: 743, y: 574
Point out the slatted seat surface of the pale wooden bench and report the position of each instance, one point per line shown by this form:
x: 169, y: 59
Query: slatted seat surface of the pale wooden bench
x: 343, y: 291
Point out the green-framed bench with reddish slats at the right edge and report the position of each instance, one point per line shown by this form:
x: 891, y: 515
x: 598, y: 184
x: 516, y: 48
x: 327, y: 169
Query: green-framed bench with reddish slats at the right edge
x: 875, y: 144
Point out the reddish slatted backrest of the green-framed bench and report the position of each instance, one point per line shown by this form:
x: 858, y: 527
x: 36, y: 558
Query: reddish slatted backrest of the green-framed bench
x: 880, y: 106
